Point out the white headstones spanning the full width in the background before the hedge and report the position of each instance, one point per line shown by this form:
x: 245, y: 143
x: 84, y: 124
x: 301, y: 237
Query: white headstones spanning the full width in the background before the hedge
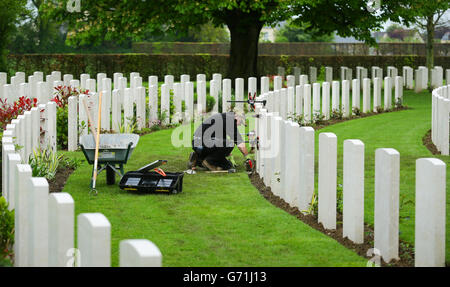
x: 305, y: 99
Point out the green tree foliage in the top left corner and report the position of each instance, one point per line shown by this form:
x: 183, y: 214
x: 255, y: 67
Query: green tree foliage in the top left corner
x: 11, y: 12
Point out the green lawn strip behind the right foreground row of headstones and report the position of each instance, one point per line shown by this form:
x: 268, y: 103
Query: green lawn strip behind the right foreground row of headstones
x: 403, y: 131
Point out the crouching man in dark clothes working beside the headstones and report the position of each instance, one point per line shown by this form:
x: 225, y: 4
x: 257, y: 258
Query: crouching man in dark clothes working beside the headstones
x: 214, y: 140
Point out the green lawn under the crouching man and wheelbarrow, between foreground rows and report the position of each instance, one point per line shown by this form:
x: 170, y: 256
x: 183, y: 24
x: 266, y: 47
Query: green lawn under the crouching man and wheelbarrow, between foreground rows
x: 218, y: 220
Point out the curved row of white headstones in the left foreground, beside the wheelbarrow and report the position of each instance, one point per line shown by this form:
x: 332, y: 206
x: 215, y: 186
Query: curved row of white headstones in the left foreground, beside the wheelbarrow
x: 44, y: 223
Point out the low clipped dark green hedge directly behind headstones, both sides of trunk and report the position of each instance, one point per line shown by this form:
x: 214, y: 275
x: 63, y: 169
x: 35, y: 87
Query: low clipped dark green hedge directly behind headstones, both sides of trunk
x: 177, y: 65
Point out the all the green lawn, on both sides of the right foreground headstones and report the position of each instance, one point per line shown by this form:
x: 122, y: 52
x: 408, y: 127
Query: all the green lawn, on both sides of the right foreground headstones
x: 221, y: 220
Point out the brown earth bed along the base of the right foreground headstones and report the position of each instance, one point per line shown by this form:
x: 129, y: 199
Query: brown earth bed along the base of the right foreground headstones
x: 406, y: 253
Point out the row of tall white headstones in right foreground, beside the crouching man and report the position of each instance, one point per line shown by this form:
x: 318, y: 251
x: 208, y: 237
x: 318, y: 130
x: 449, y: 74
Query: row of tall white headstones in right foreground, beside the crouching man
x: 285, y: 162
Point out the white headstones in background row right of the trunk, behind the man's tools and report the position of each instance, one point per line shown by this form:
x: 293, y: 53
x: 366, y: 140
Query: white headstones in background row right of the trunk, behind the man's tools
x: 297, y: 101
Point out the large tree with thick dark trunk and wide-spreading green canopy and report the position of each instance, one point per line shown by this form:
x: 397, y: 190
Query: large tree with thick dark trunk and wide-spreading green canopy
x: 114, y: 19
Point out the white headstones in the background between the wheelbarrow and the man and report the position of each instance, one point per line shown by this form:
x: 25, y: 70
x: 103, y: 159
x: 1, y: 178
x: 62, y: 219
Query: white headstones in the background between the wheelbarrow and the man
x: 124, y: 98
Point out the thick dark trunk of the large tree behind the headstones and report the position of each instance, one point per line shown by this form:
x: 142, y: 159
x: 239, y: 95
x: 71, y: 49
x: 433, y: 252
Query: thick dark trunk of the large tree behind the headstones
x: 244, y: 29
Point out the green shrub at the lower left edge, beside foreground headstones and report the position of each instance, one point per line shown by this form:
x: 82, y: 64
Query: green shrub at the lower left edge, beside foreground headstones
x: 6, y: 233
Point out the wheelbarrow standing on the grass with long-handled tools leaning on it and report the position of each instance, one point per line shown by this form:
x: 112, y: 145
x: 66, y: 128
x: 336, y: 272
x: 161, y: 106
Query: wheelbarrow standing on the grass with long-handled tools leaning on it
x: 113, y: 152
